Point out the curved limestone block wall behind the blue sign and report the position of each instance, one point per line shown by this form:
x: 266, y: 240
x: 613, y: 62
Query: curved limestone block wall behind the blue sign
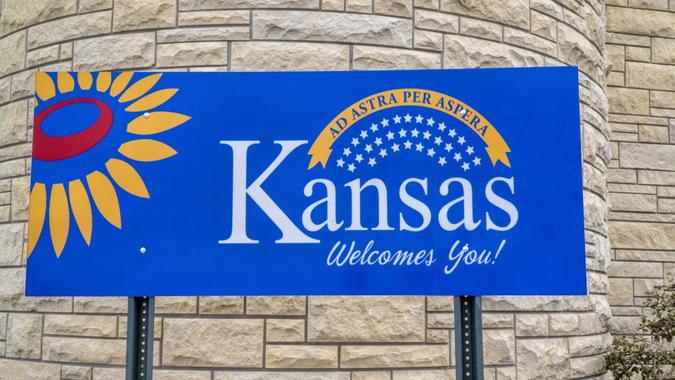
x: 316, y: 337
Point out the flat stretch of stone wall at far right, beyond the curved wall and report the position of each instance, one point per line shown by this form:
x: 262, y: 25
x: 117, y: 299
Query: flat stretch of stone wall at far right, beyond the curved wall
x: 642, y: 171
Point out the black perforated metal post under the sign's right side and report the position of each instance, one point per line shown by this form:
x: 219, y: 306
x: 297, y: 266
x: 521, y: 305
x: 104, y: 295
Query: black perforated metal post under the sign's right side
x: 468, y: 338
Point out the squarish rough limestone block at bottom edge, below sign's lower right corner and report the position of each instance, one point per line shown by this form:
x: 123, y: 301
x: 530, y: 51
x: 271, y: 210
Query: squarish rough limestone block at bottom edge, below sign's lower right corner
x: 543, y: 358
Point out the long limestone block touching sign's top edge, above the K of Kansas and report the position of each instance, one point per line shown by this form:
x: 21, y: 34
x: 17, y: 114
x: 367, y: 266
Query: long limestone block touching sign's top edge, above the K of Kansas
x: 262, y: 55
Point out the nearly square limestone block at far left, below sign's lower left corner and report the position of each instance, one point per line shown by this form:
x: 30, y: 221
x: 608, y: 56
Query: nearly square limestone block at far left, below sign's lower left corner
x: 24, y: 333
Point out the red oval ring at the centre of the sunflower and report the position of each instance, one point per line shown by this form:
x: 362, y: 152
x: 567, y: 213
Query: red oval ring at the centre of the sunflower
x: 54, y: 148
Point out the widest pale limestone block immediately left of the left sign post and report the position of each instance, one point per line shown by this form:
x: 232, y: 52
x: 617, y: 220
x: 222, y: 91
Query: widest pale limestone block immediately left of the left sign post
x: 84, y: 350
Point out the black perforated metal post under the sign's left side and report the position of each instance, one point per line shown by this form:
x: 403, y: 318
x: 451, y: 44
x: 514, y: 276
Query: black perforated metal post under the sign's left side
x: 140, y: 327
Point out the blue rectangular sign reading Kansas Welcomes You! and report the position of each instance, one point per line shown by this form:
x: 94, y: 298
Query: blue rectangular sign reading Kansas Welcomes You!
x: 439, y: 182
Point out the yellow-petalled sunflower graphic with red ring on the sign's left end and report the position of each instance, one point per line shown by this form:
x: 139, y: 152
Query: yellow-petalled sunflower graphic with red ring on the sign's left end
x: 82, y: 168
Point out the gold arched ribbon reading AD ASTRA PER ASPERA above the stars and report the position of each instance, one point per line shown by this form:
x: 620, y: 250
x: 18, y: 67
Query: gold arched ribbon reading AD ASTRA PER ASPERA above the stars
x: 496, y: 147
